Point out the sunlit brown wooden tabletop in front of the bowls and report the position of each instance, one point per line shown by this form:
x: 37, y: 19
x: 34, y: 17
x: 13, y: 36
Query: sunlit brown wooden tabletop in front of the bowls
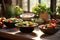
x: 35, y: 35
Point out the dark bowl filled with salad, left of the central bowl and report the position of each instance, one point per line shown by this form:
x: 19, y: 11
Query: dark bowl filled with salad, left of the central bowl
x: 10, y: 22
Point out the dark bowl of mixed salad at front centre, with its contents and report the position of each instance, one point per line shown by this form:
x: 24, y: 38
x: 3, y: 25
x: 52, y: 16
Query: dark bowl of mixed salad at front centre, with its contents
x: 26, y: 26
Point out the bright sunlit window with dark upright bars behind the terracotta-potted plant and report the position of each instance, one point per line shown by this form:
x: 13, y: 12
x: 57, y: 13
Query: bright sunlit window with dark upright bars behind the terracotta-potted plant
x: 27, y: 5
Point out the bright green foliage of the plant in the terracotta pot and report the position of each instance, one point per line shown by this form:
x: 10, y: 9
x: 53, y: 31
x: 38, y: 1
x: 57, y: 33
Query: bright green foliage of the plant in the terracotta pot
x: 41, y: 8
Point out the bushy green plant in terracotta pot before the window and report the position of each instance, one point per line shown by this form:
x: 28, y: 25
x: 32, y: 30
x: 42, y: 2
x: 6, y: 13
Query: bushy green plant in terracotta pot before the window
x: 42, y: 11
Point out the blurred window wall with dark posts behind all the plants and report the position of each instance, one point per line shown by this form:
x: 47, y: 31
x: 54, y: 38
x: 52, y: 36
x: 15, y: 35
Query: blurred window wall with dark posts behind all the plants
x: 27, y: 5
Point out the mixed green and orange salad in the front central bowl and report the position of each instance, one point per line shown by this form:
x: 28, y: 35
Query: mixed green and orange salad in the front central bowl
x: 26, y: 24
